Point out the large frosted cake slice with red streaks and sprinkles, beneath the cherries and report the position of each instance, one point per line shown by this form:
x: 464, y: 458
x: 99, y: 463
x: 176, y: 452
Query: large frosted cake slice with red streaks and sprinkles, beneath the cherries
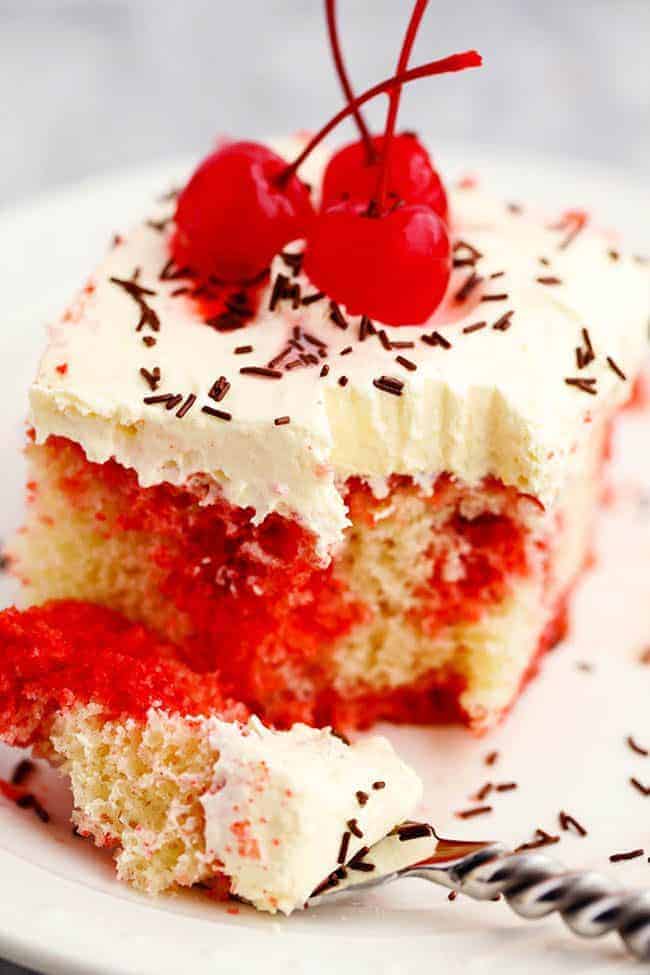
x: 346, y: 520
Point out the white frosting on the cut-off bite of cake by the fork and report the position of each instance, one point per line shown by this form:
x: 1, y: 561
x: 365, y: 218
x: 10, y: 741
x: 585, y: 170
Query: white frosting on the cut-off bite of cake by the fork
x: 280, y: 804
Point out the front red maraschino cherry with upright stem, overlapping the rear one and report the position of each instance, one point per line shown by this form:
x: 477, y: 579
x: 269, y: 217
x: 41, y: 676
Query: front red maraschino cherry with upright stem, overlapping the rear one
x: 383, y: 258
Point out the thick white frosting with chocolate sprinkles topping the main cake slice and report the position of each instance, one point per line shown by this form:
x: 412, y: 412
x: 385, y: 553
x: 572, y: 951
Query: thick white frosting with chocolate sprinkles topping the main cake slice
x: 496, y: 403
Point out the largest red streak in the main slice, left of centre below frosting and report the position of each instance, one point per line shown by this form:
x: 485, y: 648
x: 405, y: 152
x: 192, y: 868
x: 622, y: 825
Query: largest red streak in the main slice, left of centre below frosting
x: 253, y: 600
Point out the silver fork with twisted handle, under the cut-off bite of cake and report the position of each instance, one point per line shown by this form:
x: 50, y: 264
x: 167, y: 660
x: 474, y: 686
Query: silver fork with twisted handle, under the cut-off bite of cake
x: 532, y: 883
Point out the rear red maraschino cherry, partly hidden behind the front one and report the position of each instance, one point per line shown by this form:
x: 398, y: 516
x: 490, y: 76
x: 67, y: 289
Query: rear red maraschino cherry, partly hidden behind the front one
x: 353, y: 171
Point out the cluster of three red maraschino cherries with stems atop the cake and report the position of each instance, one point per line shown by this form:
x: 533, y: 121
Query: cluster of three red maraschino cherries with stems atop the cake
x: 378, y: 243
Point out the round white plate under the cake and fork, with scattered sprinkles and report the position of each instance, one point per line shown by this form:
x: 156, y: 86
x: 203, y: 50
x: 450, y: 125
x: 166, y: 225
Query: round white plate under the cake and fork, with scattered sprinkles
x: 61, y: 909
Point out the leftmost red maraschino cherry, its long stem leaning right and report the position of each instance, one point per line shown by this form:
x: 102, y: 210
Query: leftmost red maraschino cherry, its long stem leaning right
x: 244, y: 203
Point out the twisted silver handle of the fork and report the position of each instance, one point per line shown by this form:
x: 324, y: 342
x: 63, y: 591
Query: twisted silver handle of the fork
x: 534, y: 886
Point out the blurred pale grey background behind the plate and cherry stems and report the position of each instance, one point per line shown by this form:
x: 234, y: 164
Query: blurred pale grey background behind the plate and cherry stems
x: 92, y: 85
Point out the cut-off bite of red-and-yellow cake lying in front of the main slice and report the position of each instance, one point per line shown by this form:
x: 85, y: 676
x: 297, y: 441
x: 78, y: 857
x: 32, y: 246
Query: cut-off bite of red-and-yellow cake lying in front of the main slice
x: 182, y: 784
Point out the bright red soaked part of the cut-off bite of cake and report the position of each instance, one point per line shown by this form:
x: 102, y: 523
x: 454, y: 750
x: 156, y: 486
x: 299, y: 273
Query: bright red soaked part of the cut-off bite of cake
x: 66, y: 653
